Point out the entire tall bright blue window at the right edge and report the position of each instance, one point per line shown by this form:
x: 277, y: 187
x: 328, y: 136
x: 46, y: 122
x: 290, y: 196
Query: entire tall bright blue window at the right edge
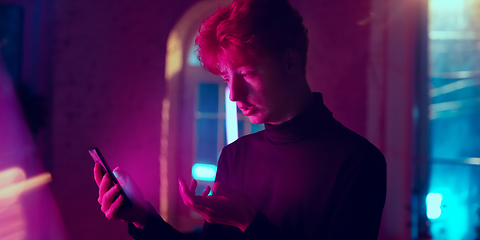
x: 453, y: 203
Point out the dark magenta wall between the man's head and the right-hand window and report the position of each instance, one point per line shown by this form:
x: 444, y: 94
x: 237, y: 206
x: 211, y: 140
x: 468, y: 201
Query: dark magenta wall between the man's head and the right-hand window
x: 338, y: 56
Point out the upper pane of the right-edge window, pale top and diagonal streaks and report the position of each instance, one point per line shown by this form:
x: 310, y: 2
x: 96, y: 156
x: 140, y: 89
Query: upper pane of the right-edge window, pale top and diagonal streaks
x: 455, y: 79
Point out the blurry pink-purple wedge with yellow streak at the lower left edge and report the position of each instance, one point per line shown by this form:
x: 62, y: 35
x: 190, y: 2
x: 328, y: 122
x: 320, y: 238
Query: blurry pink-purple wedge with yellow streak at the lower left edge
x: 27, y: 209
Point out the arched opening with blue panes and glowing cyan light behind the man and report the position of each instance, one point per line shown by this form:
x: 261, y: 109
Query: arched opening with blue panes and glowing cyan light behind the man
x: 194, y: 118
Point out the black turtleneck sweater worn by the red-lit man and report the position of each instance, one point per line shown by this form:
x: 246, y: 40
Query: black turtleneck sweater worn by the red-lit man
x: 309, y: 178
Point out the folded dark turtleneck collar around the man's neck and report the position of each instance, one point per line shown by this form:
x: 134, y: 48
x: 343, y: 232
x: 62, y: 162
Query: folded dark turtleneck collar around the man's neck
x: 301, y: 125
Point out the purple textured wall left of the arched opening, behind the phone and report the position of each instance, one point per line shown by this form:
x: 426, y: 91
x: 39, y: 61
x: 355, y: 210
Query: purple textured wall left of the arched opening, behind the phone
x: 108, y: 83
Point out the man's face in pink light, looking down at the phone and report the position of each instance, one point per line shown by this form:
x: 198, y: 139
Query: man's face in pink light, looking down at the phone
x: 259, y: 89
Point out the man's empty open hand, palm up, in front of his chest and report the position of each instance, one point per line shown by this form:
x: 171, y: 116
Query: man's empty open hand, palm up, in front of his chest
x: 226, y: 206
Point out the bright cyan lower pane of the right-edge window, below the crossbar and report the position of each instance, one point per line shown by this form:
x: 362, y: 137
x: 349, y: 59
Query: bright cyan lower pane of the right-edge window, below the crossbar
x: 458, y: 211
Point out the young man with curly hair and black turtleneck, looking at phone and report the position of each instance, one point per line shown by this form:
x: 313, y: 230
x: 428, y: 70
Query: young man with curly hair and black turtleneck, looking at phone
x: 305, y: 176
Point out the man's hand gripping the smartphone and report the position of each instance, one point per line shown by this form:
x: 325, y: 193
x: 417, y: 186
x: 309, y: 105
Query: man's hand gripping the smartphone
x: 113, y: 210
